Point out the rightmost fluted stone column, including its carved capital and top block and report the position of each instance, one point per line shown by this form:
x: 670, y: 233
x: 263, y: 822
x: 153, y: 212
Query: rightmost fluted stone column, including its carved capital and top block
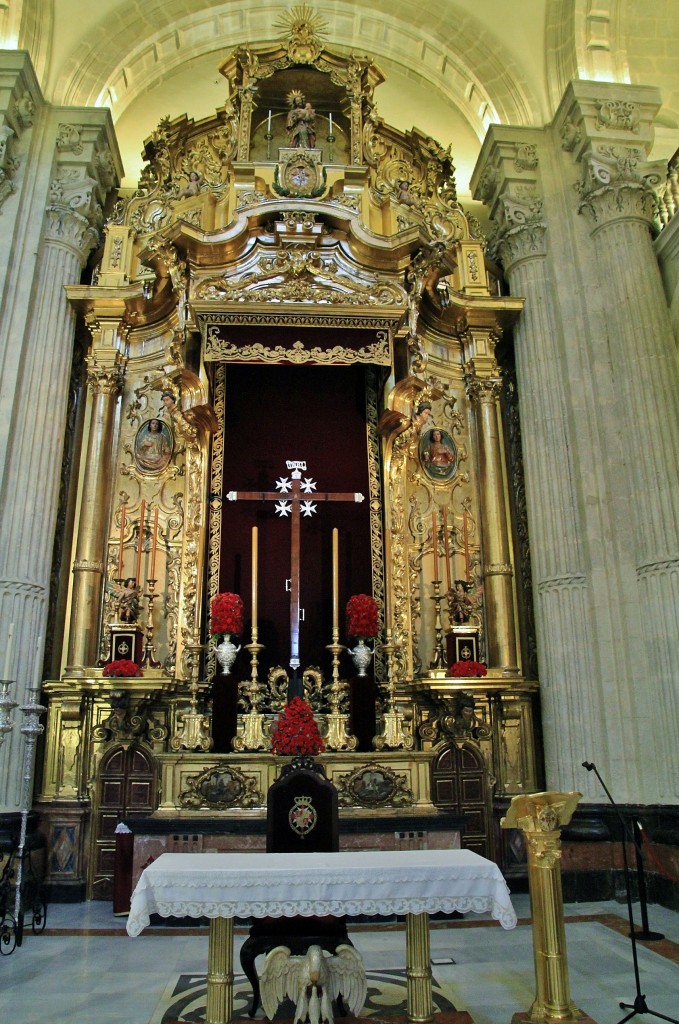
x: 612, y: 134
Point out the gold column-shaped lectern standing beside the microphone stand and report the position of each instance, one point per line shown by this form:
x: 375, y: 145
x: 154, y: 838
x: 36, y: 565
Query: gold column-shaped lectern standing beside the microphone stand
x: 541, y: 817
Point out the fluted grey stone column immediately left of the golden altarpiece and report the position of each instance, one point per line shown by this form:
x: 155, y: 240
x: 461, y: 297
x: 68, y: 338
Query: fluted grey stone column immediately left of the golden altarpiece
x: 76, y: 144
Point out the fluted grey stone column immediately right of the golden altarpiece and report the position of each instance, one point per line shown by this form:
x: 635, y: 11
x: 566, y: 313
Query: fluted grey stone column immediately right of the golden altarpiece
x: 510, y: 184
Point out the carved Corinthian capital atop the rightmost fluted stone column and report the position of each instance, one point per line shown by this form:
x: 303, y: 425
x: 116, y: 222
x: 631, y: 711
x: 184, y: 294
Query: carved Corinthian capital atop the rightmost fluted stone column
x: 615, y: 186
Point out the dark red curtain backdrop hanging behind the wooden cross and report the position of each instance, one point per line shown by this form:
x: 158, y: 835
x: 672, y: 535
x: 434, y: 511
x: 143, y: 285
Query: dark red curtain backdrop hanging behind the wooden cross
x: 275, y: 414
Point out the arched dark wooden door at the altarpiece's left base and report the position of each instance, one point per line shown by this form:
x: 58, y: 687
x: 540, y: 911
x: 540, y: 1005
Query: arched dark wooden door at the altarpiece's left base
x: 126, y: 786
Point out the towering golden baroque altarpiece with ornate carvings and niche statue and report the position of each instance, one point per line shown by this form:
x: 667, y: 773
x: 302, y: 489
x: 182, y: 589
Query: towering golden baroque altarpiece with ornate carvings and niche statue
x: 294, y: 214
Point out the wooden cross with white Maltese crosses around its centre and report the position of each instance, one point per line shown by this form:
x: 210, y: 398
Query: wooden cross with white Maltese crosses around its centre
x: 290, y: 500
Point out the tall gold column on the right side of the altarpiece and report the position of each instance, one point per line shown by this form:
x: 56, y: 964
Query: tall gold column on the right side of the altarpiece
x: 484, y: 391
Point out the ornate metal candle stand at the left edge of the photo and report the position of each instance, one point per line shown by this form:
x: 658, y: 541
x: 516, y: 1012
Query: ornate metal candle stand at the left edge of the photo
x: 28, y: 891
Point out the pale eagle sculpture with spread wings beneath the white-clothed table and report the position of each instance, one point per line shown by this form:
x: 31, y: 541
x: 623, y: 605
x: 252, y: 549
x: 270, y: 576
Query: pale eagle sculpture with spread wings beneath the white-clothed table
x: 313, y: 982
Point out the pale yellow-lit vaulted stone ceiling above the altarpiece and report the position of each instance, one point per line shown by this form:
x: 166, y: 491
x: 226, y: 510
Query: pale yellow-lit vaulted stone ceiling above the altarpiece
x: 451, y: 70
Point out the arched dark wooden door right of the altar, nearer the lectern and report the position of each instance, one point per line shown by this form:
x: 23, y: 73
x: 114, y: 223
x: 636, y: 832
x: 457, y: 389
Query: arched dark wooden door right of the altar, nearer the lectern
x: 459, y: 785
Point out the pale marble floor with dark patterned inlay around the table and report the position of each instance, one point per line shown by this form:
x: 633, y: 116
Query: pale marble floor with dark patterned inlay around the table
x: 84, y: 969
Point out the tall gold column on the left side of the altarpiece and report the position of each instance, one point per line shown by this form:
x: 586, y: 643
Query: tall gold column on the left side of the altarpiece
x: 91, y: 561
